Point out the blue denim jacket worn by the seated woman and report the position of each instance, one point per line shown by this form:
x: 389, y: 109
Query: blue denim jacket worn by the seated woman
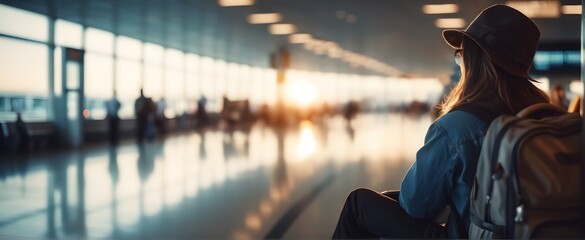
x: 445, y: 167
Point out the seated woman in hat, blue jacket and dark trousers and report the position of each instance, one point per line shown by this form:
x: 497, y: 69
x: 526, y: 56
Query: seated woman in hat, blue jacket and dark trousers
x: 494, y: 53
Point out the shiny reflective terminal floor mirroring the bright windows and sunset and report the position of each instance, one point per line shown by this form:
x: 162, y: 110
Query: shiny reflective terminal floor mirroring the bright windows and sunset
x: 243, y: 184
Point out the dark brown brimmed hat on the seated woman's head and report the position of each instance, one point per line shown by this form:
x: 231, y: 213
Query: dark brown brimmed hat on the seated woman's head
x: 508, y: 37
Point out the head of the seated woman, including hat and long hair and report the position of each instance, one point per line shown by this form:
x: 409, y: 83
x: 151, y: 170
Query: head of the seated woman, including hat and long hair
x: 494, y: 74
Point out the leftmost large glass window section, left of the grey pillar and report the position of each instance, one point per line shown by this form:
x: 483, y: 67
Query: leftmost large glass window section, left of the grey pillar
x: 24, y: 82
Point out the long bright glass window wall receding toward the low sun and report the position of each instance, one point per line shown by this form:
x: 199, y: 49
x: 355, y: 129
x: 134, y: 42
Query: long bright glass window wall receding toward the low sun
x: 123, y: 66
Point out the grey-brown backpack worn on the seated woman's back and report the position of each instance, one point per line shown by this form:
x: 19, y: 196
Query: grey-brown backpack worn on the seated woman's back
x: 528, y: 179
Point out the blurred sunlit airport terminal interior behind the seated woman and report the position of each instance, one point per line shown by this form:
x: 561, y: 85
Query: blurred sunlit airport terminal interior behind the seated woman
x: 228, y: 119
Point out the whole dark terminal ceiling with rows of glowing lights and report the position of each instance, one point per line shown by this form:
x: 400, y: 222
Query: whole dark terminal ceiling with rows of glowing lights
x: 395, y: 32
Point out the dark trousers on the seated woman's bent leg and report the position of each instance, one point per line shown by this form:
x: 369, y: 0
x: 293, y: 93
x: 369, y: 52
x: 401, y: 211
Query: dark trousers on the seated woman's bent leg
x: 369, y: 214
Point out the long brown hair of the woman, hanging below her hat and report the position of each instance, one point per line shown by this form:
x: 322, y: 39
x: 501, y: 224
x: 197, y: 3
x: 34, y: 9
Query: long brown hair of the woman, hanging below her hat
x: 484, y: 81
